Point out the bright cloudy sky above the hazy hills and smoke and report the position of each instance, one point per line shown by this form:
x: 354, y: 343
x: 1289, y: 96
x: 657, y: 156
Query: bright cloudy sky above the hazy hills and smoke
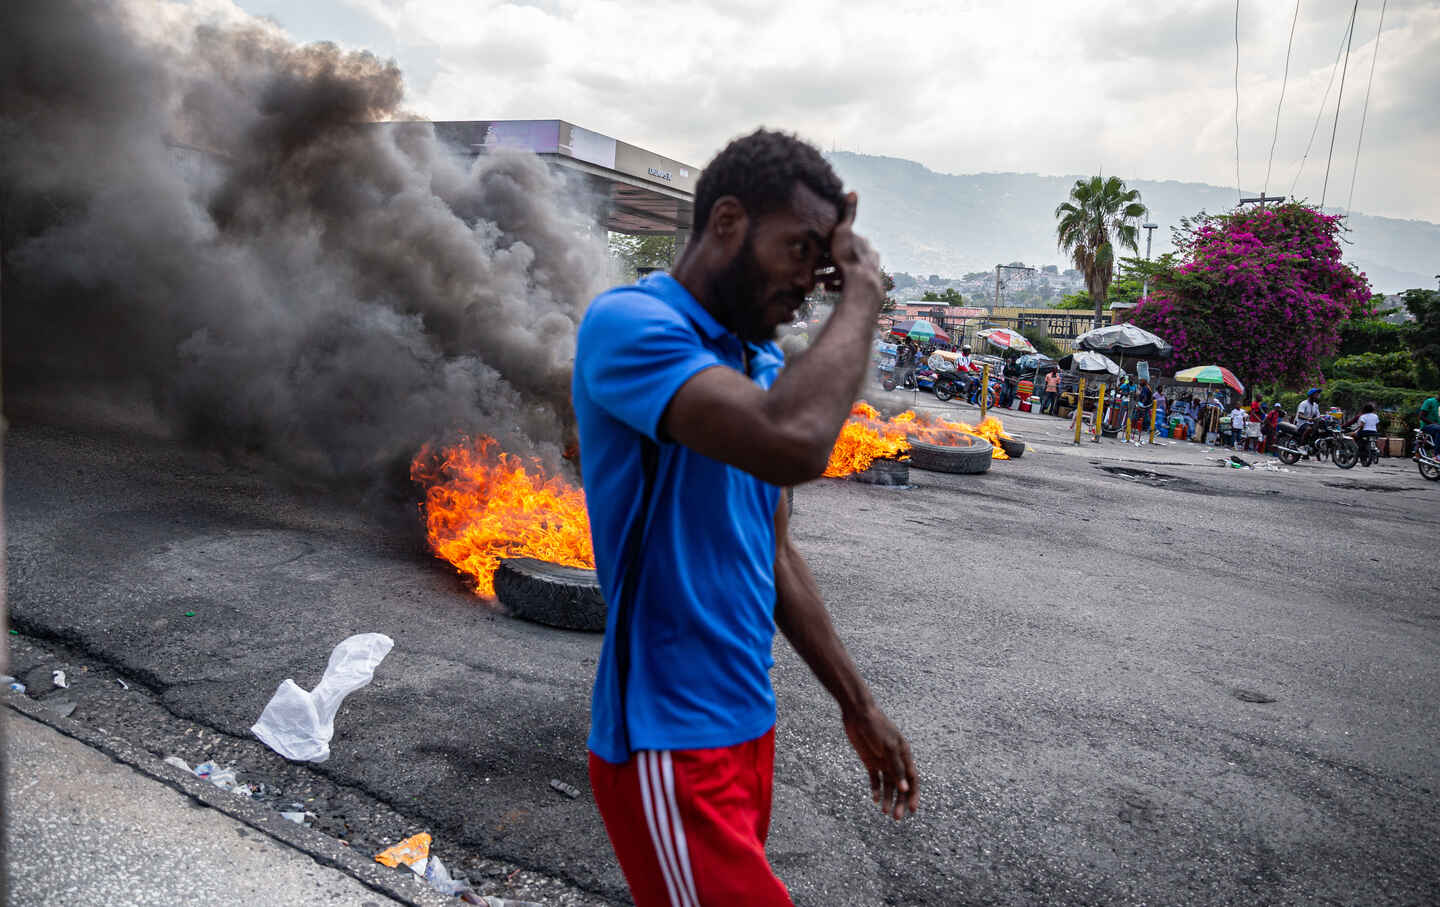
x: 1140, y: 90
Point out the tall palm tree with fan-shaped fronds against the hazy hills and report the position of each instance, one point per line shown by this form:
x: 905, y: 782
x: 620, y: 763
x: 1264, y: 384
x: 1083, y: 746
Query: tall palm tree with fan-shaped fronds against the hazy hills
x: 1101, y: 214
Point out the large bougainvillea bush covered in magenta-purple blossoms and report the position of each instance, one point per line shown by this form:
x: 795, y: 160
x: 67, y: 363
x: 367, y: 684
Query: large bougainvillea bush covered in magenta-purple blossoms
x: 1259, y: 292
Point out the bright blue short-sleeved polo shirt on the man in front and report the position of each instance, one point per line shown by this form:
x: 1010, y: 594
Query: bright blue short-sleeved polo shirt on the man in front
x: 703, y: 618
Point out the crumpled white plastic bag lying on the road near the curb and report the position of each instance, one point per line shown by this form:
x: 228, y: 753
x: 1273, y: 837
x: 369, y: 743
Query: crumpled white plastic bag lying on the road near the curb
x: 299, y: 725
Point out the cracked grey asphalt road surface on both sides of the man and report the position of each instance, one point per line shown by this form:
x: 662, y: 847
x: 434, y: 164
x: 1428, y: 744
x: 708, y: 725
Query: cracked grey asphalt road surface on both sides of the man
x: 1072, y: 651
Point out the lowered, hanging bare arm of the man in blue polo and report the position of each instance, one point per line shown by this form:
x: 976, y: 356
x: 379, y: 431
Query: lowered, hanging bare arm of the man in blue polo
x: 803, y: 618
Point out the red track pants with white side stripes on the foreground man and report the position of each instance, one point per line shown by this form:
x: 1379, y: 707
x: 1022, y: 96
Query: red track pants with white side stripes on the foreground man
x: 689, y: 827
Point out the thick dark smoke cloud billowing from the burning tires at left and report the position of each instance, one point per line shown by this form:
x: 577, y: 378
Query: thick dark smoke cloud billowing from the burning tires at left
x: 197, y: 215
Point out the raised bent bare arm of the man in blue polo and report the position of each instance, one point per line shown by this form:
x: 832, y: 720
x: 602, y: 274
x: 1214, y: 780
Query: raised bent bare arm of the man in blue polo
x: 784, y: 436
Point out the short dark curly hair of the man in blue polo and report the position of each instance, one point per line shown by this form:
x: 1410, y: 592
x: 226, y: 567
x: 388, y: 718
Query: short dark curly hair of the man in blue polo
x: 761, y: 171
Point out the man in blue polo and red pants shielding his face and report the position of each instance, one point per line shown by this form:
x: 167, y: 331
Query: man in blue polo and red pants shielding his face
x: 689, y: 430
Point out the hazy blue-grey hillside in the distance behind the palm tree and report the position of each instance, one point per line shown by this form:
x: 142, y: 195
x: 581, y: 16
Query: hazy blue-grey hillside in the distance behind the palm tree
x: 927, y: 222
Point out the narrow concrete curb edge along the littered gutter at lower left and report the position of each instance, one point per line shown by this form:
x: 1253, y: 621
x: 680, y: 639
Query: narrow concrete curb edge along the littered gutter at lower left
x: 318, y: 846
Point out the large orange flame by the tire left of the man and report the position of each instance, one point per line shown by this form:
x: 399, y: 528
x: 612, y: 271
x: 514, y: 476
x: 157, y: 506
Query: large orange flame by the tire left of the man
x: 483, y: 506
